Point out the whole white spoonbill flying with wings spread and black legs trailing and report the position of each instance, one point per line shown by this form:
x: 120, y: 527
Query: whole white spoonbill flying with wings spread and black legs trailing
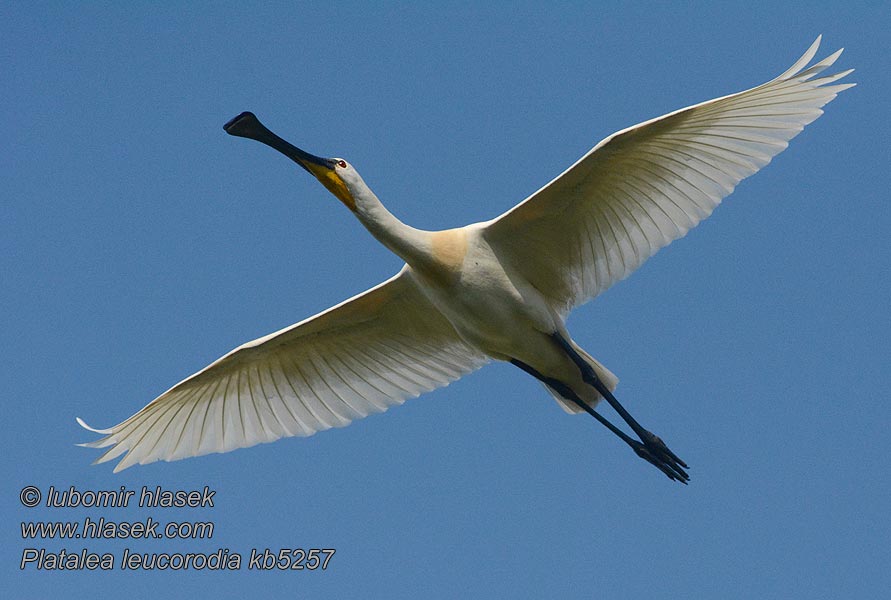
x: 494, y: 290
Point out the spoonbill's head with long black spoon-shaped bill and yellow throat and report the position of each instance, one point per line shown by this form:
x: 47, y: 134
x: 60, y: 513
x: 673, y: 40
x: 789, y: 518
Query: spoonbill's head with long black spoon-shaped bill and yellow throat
x: 334, y: 173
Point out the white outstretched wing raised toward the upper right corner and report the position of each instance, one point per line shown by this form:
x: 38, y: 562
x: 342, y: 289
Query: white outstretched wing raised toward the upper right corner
x: 646, y: 186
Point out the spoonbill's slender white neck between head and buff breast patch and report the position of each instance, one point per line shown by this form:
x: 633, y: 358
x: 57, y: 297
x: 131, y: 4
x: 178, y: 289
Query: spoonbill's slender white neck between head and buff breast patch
x: 410, y: 244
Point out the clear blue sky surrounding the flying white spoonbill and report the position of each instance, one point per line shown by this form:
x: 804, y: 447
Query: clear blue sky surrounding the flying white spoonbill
x: 138, y: 242
